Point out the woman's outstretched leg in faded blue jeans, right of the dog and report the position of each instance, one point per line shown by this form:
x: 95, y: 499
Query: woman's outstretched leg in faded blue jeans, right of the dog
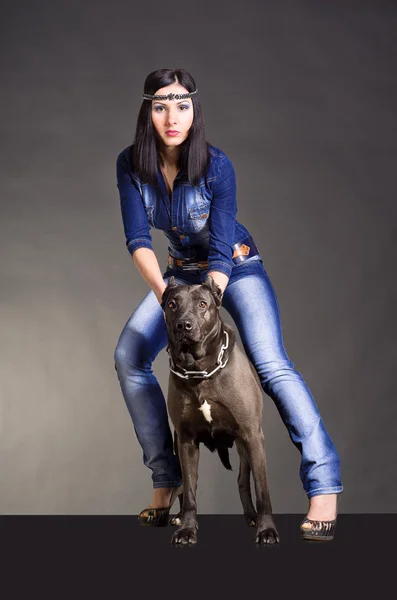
x: 251, y: 301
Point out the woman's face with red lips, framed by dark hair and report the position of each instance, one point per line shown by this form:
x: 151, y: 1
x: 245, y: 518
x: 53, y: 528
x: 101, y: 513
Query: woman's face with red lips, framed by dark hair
x: 172, y: 115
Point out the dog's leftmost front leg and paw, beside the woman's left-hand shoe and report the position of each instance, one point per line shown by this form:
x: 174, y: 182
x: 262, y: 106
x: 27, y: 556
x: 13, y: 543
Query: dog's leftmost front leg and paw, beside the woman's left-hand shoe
x: 189, y: 459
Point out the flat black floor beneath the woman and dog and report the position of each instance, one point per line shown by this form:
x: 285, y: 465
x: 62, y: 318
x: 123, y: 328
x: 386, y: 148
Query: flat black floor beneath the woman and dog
x: 116, y: 556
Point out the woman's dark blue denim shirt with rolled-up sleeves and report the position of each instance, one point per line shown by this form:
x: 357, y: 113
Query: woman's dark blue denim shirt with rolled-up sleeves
x: 199, y: 221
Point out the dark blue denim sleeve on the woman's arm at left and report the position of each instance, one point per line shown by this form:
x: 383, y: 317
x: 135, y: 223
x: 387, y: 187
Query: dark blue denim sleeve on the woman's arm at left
x: 135, y: 221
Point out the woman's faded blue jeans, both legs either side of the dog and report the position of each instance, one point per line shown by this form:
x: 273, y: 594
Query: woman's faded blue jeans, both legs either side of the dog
x: 251, y: 301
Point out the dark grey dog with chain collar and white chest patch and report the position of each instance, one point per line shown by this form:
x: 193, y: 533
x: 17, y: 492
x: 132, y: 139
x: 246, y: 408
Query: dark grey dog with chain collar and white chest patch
x: 214, y: 397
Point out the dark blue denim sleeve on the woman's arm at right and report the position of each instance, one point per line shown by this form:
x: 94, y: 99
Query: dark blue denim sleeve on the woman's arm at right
x: 222, y: 219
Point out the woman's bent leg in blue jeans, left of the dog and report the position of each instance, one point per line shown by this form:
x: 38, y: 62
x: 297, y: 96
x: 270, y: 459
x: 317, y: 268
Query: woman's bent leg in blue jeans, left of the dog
x: 142, y: 338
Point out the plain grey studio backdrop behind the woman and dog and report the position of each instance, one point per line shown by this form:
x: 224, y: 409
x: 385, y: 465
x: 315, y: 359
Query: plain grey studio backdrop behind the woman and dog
x: 302, y: 97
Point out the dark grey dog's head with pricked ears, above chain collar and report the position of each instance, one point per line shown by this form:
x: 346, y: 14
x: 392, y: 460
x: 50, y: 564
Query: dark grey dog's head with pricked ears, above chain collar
x: 191, y: 311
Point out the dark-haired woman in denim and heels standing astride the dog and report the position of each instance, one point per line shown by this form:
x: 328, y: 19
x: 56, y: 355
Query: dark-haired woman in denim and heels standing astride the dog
x: 172, y: 179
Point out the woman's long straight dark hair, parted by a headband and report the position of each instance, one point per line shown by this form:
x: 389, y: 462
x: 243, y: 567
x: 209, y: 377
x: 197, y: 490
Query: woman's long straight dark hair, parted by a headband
x: 194, y: 157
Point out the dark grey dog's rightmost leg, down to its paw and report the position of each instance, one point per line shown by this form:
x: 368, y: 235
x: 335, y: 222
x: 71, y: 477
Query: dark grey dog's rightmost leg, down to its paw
x: 266, y: 532
